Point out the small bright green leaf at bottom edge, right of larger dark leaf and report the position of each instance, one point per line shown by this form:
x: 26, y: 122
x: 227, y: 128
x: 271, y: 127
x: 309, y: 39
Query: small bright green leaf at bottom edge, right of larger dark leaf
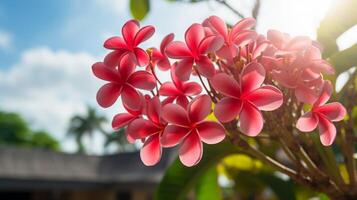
x: 207, y: 187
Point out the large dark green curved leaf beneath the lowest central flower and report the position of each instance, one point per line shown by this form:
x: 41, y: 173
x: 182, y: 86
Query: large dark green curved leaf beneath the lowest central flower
x: 179, y: 179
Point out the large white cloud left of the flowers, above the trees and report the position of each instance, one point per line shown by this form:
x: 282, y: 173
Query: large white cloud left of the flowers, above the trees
x: 48, y: 87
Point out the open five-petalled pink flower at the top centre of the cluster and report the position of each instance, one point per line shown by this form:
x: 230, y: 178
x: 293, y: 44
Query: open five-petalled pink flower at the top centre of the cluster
x: 194, y: 51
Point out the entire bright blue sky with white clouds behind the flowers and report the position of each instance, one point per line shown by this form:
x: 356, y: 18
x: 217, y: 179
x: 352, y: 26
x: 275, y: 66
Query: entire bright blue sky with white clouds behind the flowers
x: 47, y: 47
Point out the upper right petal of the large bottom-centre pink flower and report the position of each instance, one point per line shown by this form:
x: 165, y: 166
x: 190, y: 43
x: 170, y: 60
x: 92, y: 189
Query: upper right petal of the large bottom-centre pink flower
x: 199, y: 108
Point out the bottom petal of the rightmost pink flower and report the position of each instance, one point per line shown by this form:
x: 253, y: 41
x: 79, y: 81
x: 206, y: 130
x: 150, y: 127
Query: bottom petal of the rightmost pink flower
x: 327, y: 131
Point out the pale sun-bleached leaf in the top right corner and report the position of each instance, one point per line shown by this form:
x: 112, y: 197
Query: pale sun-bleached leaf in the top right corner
x: 341, y: 16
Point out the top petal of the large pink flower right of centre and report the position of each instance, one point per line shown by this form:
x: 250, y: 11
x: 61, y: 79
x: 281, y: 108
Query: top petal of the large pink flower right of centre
x: 252, y: 77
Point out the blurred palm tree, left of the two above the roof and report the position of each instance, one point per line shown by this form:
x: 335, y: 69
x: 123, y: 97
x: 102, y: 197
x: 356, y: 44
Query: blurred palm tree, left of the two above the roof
x: 82, y: 125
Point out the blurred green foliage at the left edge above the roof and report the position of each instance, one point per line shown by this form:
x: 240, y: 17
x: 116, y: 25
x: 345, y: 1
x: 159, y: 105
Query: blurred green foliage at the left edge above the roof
x: 15, y: 131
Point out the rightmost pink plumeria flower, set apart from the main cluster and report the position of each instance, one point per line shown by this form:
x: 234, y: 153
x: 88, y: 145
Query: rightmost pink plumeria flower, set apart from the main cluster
x: 322, y: 115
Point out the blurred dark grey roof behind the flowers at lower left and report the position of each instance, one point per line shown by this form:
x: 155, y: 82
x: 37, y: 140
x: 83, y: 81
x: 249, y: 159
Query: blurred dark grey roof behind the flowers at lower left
x: 25, y: 164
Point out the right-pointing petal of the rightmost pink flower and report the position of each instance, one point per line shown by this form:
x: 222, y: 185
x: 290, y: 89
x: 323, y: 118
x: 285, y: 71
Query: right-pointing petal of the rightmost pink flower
x: 333, y: 111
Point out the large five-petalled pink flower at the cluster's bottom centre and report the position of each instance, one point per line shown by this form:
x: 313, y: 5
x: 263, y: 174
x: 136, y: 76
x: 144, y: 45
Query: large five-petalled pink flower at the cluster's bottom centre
x: 188, y: 127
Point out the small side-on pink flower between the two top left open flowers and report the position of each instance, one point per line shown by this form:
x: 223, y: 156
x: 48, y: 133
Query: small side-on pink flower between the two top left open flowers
x: 159, y: 57
